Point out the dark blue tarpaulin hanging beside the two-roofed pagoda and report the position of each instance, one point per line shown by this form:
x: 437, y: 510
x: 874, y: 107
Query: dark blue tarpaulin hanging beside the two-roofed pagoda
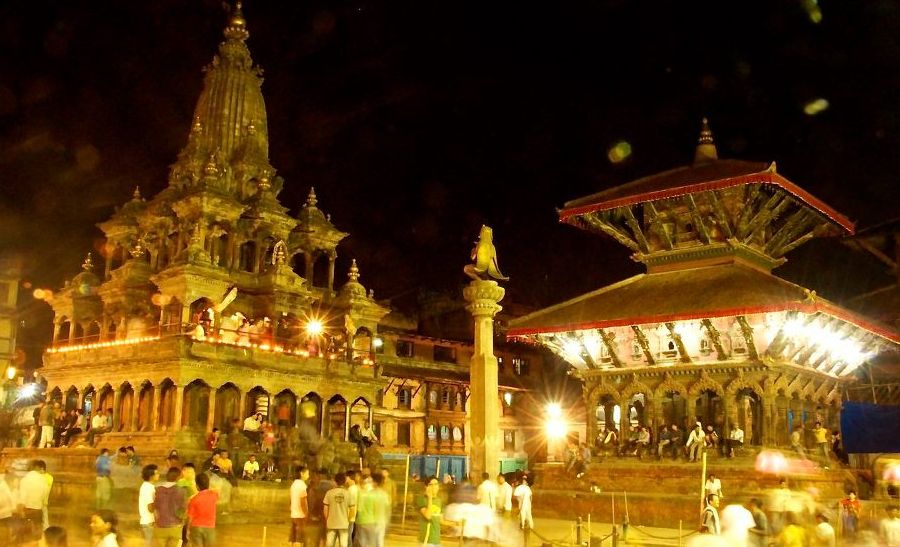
x: 867, y: 428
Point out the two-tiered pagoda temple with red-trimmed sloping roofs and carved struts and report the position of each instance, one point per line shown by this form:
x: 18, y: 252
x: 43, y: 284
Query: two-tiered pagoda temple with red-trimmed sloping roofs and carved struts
x: 708, y: 332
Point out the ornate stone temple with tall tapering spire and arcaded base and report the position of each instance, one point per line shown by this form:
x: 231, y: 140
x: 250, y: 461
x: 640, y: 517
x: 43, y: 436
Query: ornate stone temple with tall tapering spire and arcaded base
x: 198, y: 311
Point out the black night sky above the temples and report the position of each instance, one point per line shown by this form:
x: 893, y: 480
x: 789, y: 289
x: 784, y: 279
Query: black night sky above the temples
x: 417, y: 121
